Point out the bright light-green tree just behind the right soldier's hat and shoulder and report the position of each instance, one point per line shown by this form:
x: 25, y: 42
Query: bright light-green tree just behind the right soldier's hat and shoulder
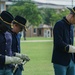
x: 57, y: 15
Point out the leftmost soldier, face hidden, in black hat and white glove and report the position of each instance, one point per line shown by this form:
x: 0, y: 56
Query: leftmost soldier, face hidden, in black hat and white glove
x: 5, y: 58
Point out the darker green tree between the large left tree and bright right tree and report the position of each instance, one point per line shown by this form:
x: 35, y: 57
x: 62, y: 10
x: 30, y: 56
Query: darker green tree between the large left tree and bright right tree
x: 47, y: 15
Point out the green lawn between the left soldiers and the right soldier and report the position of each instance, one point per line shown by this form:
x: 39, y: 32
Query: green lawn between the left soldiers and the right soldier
x: 40, y: 57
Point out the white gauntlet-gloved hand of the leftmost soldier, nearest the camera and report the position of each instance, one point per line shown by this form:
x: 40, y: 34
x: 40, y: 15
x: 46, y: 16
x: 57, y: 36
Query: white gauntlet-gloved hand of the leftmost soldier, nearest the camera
x: 13, y: 60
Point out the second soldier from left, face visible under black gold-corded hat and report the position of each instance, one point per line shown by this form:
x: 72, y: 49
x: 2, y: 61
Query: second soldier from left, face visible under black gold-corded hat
x: 18, y: 25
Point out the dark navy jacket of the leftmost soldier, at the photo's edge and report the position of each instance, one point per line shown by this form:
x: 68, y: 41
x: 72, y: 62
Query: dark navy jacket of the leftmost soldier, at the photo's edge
x: 3, y: 51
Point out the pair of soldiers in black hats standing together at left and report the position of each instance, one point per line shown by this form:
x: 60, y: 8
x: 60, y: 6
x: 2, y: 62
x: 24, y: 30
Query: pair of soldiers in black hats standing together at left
x: 9, y: 43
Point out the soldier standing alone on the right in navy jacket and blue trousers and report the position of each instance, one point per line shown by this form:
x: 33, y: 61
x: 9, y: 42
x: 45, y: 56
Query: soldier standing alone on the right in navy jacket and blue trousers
x: 63, y: 57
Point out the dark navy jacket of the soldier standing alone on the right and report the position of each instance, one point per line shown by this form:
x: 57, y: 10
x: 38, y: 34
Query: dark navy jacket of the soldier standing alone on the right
x: 63, y: 36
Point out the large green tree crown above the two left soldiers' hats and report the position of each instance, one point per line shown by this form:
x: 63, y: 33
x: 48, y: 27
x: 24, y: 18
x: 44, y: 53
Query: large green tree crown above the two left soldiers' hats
x: 28, y: 10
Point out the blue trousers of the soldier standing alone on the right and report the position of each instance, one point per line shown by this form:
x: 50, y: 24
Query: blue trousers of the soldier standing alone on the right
x: 64, y: 70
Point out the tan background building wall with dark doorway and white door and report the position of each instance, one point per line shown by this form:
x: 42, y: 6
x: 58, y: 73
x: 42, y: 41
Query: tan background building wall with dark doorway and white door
x: 43, y: 32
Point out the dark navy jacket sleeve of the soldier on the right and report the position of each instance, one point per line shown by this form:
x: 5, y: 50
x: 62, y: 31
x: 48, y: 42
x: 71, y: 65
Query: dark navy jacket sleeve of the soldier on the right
x: 59, y: 44
